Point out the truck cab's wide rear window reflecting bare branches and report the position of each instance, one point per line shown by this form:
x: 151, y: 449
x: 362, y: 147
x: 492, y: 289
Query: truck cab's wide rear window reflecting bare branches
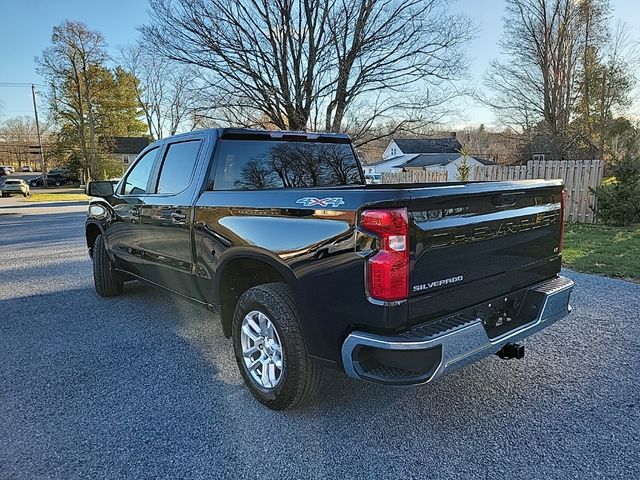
x: 259, y: 165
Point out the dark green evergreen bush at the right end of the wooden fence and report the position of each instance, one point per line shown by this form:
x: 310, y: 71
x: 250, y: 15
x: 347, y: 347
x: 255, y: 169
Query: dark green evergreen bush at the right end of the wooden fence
x: 619, y: 200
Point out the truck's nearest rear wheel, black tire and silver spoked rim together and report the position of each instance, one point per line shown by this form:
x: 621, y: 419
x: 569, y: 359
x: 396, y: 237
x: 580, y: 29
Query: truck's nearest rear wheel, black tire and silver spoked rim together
x: 269, y: 348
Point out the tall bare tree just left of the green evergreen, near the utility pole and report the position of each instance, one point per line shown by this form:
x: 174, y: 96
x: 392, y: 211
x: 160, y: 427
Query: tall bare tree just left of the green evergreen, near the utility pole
x: 69, y: 65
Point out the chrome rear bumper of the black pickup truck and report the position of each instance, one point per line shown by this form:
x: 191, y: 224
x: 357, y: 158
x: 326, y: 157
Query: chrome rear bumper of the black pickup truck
x: 458, y: 342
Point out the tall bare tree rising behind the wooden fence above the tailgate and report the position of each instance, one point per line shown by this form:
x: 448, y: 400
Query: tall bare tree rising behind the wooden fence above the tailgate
x: 536, y: 81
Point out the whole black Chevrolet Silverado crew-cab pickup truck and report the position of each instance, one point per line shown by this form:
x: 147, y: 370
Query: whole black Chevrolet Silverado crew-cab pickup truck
x: 308, y: 267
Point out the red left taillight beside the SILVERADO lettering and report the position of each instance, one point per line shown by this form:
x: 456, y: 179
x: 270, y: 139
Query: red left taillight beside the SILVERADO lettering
x: 388, y: 269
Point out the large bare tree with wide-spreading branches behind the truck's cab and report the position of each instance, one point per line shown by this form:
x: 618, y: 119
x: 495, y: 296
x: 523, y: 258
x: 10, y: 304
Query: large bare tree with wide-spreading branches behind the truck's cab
x: 295, y: 64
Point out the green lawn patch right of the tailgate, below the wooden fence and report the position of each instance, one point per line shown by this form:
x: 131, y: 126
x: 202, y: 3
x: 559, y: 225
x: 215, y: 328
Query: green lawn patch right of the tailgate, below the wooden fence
x: 610, y: 251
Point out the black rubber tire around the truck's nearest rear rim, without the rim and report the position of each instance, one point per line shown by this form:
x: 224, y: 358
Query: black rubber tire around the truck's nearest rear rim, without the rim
x: 301, y: 374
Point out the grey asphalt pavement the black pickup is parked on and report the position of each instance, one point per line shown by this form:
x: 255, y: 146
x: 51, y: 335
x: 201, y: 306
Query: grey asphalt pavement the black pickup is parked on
x: 145, y: 386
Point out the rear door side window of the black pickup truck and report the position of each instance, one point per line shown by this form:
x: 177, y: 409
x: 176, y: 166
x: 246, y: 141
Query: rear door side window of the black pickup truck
x: 177, y: 167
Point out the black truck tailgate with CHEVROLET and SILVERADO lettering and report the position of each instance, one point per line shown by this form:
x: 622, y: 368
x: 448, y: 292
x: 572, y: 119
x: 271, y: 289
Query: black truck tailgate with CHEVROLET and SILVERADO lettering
x: 476, y: 241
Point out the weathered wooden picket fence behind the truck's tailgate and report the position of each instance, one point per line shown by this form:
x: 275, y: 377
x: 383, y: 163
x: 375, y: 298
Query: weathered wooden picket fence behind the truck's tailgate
x: 580, y: 177
